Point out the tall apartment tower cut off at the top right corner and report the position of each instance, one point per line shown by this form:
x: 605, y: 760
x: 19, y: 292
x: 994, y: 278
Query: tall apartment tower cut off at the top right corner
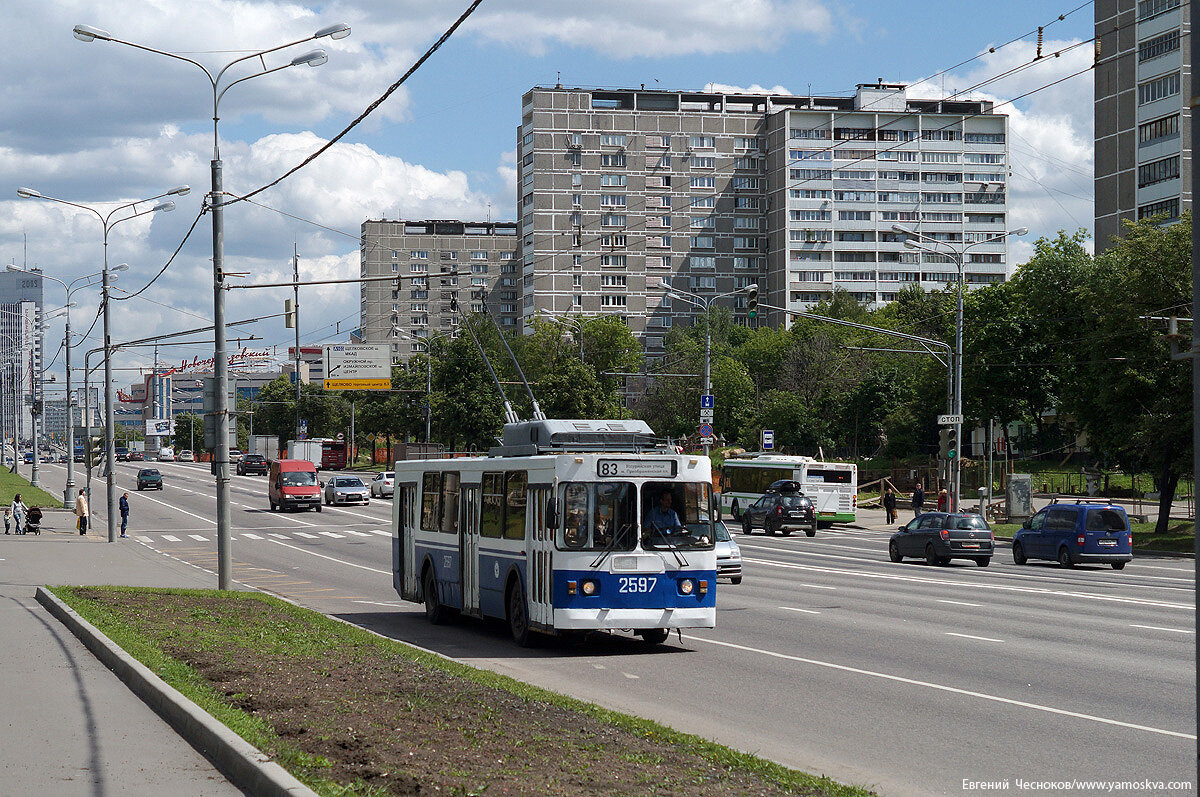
x: 1143, y: 121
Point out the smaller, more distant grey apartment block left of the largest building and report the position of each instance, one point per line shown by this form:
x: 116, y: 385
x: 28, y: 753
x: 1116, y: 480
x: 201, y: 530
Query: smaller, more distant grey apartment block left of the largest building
x: 436, y: 263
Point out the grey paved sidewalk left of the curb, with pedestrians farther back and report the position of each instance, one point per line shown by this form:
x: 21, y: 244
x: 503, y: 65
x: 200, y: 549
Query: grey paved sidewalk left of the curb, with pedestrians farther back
x: 68, y: 726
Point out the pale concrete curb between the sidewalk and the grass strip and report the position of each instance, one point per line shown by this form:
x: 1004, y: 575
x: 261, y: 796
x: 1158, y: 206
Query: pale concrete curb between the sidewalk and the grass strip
x: 244, y: 765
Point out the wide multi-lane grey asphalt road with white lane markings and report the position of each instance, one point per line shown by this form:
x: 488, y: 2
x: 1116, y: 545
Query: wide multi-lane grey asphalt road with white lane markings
x: 907, y: 679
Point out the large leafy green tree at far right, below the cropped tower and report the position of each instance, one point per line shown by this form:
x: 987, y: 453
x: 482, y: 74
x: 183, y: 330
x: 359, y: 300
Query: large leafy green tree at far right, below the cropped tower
x: 1131, y: 398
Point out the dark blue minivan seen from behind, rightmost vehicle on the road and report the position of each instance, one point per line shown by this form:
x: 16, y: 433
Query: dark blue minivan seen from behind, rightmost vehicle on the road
x: 1072, y: 534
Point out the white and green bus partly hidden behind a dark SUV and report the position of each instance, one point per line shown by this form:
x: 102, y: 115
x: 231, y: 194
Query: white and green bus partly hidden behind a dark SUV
x: 833, y: 487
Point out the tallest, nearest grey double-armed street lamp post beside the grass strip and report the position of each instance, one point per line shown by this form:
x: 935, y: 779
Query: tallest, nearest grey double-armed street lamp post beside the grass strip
x: 217, y: 205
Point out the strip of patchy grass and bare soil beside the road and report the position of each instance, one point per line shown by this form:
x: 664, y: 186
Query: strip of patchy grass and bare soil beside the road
x: 351, y: 714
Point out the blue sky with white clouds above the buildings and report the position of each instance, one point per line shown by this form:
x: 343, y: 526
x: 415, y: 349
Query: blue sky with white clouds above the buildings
x: 99, y: 122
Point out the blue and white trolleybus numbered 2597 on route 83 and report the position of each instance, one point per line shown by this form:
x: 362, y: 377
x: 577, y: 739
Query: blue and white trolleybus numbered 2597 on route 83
x: 561, y: 530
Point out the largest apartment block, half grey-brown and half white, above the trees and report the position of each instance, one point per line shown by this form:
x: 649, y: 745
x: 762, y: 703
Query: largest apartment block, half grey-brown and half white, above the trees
x: 622, y: 191
